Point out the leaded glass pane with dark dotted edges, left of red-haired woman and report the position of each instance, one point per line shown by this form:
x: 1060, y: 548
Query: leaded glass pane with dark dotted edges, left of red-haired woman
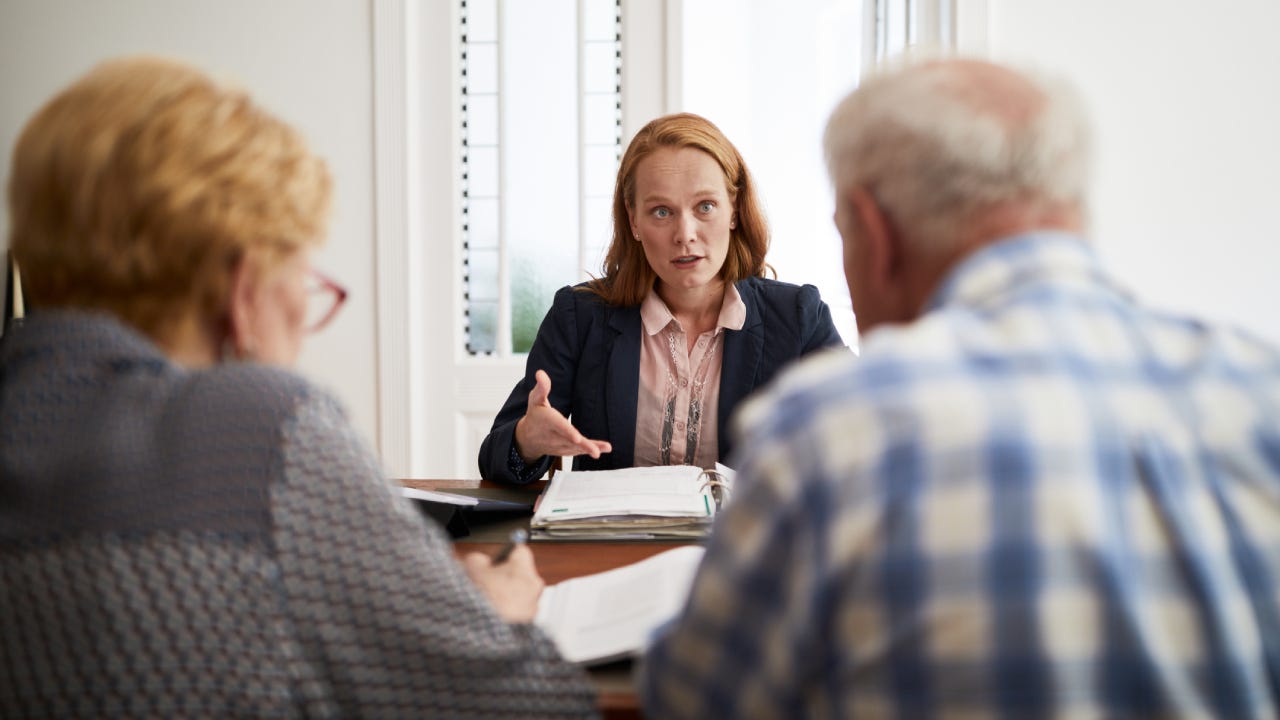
x: 541, y: 143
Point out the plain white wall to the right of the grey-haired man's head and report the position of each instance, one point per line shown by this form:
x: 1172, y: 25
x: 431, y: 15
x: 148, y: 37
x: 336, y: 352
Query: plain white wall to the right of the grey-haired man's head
x: 1187, y: 108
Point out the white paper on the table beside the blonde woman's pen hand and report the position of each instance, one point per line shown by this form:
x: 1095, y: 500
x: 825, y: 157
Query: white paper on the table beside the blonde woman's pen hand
x: 611, y: 616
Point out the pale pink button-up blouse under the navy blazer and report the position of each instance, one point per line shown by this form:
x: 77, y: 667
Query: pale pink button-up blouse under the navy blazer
x: 679, y: 398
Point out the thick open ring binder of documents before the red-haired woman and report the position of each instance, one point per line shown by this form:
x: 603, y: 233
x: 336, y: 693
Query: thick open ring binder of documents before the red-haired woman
x: 674, y: 502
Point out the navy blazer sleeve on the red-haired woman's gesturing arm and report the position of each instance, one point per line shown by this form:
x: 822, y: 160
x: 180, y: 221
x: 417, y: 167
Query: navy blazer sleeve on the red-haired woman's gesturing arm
x: 556, y: 350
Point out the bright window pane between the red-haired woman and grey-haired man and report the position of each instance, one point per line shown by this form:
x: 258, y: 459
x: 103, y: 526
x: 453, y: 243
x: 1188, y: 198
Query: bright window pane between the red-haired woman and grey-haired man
x: 769, y: 74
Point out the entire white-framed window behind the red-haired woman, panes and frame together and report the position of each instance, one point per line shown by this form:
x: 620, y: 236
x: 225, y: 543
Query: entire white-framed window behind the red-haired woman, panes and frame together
x: 499, y: 130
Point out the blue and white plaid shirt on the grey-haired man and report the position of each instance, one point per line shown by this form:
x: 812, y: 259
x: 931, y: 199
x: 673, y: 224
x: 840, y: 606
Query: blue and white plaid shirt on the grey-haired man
x: 1039, y: 500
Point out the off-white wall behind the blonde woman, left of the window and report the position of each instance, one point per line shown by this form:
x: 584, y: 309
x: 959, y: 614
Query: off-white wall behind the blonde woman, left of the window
x: 308, y: 61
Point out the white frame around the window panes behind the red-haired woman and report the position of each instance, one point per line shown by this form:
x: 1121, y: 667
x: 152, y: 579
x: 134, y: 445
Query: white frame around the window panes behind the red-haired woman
x: 418, y: 245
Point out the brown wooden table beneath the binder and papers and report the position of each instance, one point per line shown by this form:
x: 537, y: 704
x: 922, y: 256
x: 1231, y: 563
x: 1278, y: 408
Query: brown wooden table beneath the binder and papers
x: 559, y: 562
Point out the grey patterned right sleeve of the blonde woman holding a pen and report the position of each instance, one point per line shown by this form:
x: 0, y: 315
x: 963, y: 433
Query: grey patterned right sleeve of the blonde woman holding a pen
x: 381, y: 604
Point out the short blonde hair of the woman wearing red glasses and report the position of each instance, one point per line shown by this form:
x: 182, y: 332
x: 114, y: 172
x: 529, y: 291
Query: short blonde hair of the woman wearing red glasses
x: 140, y: 188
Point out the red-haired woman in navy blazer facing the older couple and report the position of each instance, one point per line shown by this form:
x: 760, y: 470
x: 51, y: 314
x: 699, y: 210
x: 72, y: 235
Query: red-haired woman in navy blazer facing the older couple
x: 651, y: 359
